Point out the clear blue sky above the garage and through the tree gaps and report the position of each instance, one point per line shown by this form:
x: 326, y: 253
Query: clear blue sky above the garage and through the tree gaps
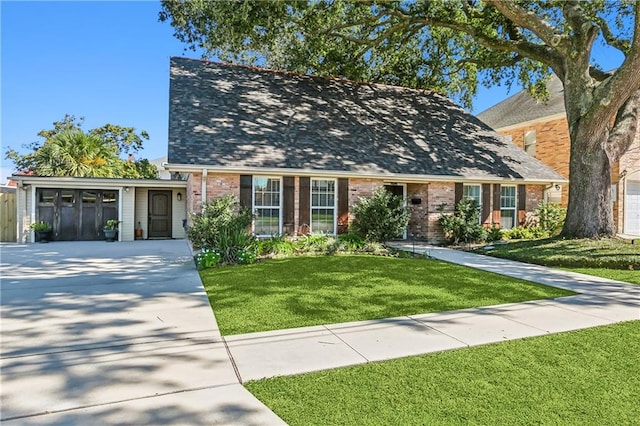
x: 105, y: 61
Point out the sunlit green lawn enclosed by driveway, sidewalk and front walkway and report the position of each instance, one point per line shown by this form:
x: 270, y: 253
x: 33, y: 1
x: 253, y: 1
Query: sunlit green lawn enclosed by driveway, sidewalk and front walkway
x: 304, y: 291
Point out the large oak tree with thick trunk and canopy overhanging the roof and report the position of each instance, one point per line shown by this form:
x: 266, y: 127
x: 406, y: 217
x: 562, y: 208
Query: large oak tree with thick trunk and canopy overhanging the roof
x: 452, y: 46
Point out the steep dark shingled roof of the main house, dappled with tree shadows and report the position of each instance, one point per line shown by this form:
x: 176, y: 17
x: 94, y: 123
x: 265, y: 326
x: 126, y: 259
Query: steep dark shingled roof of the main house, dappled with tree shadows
x: 238, y: 117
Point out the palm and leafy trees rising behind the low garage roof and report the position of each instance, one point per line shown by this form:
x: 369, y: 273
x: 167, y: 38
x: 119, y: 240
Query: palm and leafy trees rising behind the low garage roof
x: 68, y: 151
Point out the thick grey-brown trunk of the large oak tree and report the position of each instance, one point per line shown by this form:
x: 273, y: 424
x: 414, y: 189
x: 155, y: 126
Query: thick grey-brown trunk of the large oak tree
x: 589, y: 213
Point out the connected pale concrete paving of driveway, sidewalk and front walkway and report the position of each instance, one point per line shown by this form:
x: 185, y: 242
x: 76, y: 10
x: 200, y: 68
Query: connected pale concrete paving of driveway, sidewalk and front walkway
x: 122, y: 333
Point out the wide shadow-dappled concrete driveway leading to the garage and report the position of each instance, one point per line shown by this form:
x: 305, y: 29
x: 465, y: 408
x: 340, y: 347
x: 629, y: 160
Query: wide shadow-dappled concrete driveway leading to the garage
x: 114, y: 333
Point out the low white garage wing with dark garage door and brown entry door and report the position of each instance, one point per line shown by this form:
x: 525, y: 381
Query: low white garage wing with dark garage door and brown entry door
x: 77, y: 208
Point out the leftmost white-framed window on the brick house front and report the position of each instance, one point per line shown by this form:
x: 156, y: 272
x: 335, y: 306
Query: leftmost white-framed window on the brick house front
x: 266, y: 206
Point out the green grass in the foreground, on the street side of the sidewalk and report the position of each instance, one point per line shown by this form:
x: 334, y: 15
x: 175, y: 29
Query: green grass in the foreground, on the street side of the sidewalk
x: 587, y: 377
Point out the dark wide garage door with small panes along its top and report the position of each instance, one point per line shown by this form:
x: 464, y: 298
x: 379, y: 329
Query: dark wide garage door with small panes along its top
x: 77, y: 214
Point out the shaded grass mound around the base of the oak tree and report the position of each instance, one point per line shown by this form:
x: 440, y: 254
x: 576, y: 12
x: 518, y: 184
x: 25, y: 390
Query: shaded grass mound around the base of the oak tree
x: 580, y: 253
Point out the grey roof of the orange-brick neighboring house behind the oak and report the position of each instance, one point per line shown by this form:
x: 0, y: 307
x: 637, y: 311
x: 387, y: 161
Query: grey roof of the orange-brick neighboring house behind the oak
x: 521, y: 107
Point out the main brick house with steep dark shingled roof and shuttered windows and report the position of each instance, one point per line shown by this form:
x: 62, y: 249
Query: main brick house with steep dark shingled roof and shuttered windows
x: 300, y: 151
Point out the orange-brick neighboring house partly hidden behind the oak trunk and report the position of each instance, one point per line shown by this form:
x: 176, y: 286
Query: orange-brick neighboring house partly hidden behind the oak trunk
x: 541, y: 129
